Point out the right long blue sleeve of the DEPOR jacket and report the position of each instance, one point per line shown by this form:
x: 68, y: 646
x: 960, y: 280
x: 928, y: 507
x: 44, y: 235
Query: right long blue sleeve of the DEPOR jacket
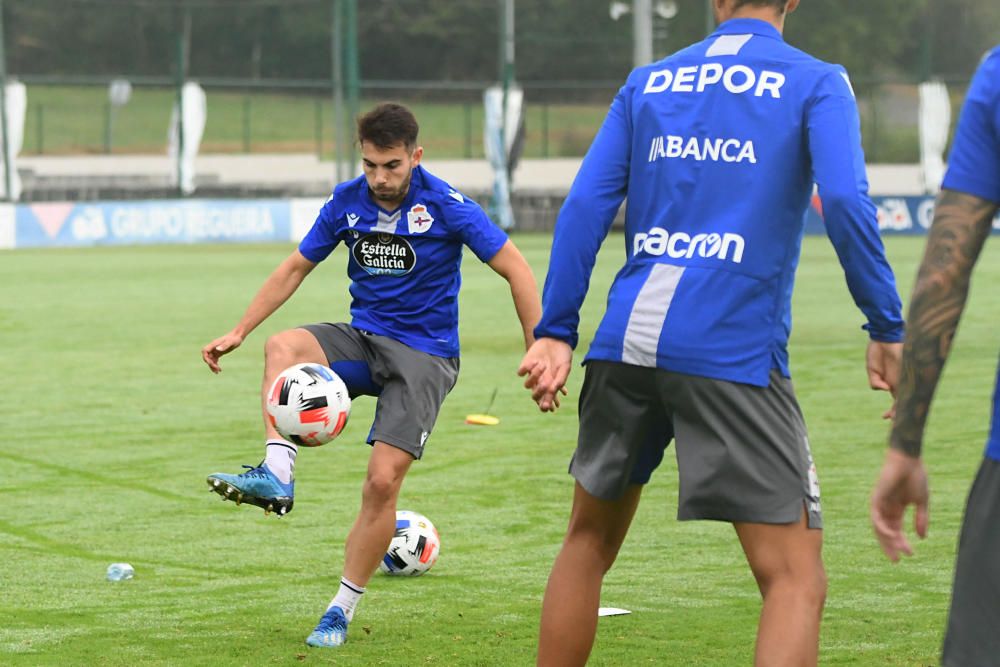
x: 850, y: 216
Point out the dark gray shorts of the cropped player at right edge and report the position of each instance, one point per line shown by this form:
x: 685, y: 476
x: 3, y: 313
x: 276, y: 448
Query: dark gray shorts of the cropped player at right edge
x: 973, y: 636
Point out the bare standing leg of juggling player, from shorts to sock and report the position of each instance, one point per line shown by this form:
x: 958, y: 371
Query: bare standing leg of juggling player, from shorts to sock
x: 376, y: 523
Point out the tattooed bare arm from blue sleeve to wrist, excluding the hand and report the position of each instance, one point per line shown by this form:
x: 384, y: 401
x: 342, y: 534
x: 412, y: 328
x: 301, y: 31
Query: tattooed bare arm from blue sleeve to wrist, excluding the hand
x: 961, y: 224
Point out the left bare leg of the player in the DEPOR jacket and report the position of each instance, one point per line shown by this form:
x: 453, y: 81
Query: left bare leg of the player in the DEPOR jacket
x: 596, y: 531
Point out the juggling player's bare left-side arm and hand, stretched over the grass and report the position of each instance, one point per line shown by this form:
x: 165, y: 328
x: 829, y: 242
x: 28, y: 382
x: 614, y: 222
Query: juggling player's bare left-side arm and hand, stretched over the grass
x: 278, y: 287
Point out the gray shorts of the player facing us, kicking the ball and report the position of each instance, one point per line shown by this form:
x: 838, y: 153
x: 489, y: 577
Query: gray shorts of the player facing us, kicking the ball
x: 410, y: 384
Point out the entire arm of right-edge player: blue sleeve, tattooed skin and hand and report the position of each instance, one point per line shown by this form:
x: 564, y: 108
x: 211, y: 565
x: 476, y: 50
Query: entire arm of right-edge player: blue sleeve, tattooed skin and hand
x: 963, y: 218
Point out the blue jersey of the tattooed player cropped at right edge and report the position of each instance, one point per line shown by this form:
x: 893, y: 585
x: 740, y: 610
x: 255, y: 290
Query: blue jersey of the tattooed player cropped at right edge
x: 974, y: 167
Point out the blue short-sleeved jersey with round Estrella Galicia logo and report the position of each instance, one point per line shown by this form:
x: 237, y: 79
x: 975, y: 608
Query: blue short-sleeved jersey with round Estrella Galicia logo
x: 404, y: 264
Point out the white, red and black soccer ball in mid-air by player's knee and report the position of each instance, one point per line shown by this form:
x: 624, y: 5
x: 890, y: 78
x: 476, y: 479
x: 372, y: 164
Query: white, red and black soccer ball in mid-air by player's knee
x: 308, y: 404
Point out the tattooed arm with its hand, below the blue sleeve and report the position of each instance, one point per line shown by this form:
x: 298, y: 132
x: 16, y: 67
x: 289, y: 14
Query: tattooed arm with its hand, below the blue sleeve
x: 961, y: 224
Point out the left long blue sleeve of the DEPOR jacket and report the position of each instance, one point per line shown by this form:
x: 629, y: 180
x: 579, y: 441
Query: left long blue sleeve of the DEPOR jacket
x: 583, y: 223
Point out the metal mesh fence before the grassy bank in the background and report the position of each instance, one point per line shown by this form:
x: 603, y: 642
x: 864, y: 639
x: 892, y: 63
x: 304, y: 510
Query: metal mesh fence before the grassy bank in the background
x: 75, y: 116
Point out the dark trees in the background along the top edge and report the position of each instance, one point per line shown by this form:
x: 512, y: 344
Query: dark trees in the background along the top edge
x: 458, y: 40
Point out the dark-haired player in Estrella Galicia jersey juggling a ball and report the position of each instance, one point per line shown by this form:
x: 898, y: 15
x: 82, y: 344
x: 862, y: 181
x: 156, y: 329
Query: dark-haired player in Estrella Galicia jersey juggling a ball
x: 402, y: 342
